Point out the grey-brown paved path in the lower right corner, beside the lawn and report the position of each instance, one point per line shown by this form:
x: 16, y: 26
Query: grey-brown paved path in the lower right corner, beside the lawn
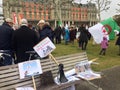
x: 109, y: 81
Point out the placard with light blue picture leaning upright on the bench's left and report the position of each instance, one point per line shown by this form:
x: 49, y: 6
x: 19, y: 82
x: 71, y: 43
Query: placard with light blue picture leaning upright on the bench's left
x: 29, y: 68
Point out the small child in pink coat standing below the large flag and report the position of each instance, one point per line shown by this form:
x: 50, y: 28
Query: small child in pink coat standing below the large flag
x: 104, y: 46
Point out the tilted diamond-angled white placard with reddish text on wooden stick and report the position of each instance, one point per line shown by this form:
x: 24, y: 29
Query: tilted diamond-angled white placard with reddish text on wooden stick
x: 44, y: 48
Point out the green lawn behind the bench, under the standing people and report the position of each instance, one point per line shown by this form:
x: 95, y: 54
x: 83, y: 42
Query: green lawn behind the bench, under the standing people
x: 109, y: 60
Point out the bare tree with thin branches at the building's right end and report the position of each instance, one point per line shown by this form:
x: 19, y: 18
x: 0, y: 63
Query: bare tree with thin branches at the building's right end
x: 102, y: 5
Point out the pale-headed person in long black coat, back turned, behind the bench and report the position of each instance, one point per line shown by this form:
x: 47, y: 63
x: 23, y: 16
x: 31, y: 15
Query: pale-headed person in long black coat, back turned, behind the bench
x: 24, y: 39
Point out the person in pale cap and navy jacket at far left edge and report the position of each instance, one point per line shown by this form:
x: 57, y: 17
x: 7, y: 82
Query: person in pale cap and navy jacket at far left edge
x: 6, y: 33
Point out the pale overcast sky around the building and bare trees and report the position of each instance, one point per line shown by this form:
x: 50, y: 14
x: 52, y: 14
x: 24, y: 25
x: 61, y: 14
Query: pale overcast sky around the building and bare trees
x: 104, y: 15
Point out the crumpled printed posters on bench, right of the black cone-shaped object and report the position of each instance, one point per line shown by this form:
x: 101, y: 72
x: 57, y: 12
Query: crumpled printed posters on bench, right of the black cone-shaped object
x: 84, y: 71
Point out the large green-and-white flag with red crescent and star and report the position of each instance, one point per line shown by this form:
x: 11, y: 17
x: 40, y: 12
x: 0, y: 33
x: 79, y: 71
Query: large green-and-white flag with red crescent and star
x: 105, y: 28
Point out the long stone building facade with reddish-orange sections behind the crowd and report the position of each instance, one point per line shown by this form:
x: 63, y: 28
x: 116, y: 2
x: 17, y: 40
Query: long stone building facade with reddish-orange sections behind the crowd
x: 66, y: 12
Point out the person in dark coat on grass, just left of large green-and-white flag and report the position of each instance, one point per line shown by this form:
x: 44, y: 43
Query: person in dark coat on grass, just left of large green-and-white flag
x: 83, y: 38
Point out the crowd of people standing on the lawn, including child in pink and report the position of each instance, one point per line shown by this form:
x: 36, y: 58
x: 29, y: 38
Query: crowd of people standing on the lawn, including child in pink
x: 17, y: 41
